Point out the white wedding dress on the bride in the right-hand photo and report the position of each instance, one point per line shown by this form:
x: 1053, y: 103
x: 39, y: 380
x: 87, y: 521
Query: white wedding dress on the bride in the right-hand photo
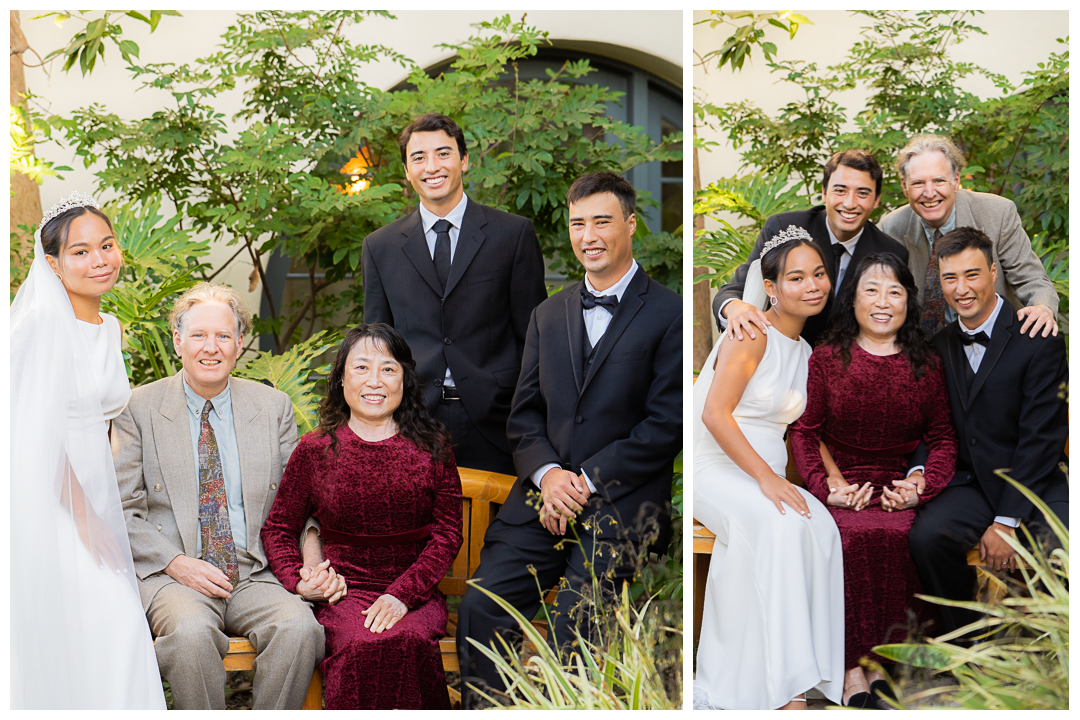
x: 774, y: 618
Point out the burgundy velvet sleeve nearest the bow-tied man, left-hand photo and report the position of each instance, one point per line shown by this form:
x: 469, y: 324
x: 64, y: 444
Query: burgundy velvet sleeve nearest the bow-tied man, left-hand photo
x: 416, y: 585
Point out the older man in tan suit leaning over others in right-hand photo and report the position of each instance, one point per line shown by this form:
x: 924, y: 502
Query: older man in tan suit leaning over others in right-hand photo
x: 929, y: 168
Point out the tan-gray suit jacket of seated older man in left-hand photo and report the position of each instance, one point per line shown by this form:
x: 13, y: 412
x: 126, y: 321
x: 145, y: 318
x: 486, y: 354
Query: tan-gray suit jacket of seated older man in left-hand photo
x: 159, y: 484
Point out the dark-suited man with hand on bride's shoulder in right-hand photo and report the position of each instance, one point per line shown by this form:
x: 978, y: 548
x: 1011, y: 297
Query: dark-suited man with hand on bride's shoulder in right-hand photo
x: 852, y: 189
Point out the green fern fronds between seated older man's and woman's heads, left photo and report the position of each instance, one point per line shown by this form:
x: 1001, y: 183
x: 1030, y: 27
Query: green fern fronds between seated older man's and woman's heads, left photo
x: 292, y: 373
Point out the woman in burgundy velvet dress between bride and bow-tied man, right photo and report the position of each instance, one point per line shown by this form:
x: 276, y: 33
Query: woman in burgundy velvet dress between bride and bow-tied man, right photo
x: 875, y: 390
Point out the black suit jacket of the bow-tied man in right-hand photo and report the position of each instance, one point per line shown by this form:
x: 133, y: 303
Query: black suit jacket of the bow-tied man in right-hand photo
x: 1012, y: 418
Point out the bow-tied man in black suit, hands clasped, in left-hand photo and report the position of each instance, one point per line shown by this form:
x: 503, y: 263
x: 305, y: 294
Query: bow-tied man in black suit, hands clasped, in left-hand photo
x: 596, y: 426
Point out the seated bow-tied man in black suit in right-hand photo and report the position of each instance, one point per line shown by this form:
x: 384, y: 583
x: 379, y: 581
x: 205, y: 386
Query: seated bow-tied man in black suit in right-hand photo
x: 1006, y: 396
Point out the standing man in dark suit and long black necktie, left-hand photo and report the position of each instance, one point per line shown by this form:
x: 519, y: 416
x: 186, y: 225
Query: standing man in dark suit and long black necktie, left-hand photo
x: 460, y: 281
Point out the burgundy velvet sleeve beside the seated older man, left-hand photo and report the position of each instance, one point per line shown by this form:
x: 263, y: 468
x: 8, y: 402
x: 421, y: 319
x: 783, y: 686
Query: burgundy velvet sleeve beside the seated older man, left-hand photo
x: 291, y: 510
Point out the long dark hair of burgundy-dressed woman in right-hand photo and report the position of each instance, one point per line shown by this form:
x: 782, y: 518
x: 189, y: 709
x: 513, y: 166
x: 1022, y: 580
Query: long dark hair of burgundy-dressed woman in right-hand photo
x: 844, y: 329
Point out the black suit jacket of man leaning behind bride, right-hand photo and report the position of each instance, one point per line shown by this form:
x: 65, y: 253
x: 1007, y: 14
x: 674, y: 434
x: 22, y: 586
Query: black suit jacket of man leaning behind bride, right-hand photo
x: 814, y: 222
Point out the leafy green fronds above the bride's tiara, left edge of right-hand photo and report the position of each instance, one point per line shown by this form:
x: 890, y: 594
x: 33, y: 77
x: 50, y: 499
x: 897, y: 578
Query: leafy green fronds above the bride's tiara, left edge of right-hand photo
x: 753, y: 197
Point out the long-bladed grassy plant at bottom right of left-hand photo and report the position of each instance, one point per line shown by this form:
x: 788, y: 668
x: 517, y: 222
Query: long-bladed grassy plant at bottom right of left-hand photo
x: 617, y: 671
